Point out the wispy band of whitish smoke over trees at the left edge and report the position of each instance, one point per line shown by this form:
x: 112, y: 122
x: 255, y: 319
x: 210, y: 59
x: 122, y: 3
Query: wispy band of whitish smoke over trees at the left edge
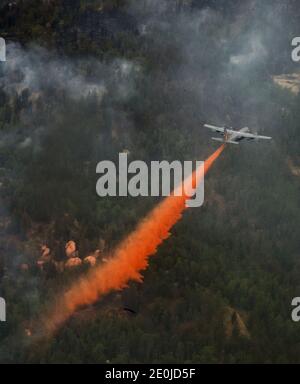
x: 37, y: 70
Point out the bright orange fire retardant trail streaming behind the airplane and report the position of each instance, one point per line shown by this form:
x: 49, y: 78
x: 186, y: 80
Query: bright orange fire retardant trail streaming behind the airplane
x: 128, y: 259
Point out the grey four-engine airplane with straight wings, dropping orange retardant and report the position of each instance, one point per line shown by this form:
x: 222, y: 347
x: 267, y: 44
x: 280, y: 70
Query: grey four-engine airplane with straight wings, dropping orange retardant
x: 234, y: 137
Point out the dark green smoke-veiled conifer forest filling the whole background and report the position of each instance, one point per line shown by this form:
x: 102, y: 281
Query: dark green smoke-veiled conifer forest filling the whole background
x: 87, y: 79
